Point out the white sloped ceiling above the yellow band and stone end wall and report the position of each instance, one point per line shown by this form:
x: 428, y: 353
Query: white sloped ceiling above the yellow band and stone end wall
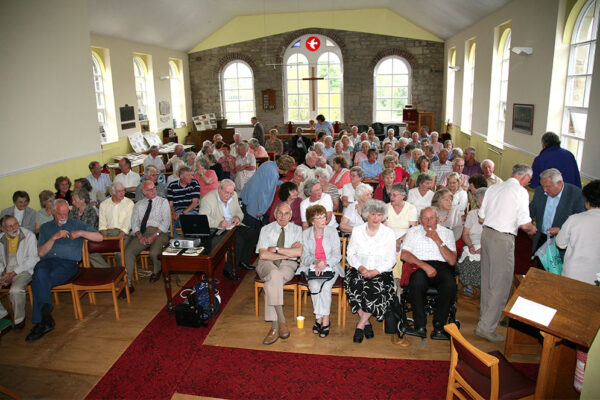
x: 181, y: 24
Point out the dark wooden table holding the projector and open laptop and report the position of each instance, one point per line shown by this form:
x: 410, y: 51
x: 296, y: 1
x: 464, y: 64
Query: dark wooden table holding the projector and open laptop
x: 215, y: 250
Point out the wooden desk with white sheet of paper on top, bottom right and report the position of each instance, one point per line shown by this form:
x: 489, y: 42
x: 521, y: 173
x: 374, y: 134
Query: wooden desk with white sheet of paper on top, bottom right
x: 576, y: 322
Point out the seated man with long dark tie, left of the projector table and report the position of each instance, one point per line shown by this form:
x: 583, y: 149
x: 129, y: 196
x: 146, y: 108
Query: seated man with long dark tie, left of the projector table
x: 150, y: 223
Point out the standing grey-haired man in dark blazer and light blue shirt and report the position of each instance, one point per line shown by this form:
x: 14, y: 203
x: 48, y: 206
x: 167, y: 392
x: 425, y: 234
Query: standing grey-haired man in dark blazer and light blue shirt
x: 553, y: 202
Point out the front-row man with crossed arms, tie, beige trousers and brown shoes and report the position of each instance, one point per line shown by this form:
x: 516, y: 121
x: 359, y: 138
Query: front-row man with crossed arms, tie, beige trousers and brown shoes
x: 279, y: 246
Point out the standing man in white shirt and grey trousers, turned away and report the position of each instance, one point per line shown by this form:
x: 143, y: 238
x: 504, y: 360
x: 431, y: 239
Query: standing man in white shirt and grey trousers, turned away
x: 504, y: 210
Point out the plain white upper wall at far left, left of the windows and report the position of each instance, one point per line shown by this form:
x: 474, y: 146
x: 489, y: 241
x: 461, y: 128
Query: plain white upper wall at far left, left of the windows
x: 46, y: 86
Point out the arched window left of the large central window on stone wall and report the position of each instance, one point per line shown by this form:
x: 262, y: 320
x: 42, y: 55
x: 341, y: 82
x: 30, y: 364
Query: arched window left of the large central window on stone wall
x: 238, y: 92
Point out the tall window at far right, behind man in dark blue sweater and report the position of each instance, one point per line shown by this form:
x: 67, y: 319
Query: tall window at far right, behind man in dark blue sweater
x: 579, y: 78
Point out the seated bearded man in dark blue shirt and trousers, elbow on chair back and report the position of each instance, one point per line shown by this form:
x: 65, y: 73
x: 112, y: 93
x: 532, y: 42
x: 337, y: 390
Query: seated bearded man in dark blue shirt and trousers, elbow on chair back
x: 59, y: 249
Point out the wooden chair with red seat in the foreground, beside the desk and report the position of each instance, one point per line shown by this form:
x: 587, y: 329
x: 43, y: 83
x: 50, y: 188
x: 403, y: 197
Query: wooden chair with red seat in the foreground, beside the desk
x: 483, y: 375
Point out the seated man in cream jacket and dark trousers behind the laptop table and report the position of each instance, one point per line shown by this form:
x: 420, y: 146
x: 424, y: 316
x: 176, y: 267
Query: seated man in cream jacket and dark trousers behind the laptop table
x: 223, y: 211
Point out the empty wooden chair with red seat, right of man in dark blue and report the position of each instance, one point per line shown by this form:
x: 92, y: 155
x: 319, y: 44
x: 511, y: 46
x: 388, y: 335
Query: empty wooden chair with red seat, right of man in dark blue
x: 96, y: 280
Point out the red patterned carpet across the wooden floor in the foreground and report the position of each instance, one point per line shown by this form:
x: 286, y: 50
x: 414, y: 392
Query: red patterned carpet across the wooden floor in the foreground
x: 165, y: 359
